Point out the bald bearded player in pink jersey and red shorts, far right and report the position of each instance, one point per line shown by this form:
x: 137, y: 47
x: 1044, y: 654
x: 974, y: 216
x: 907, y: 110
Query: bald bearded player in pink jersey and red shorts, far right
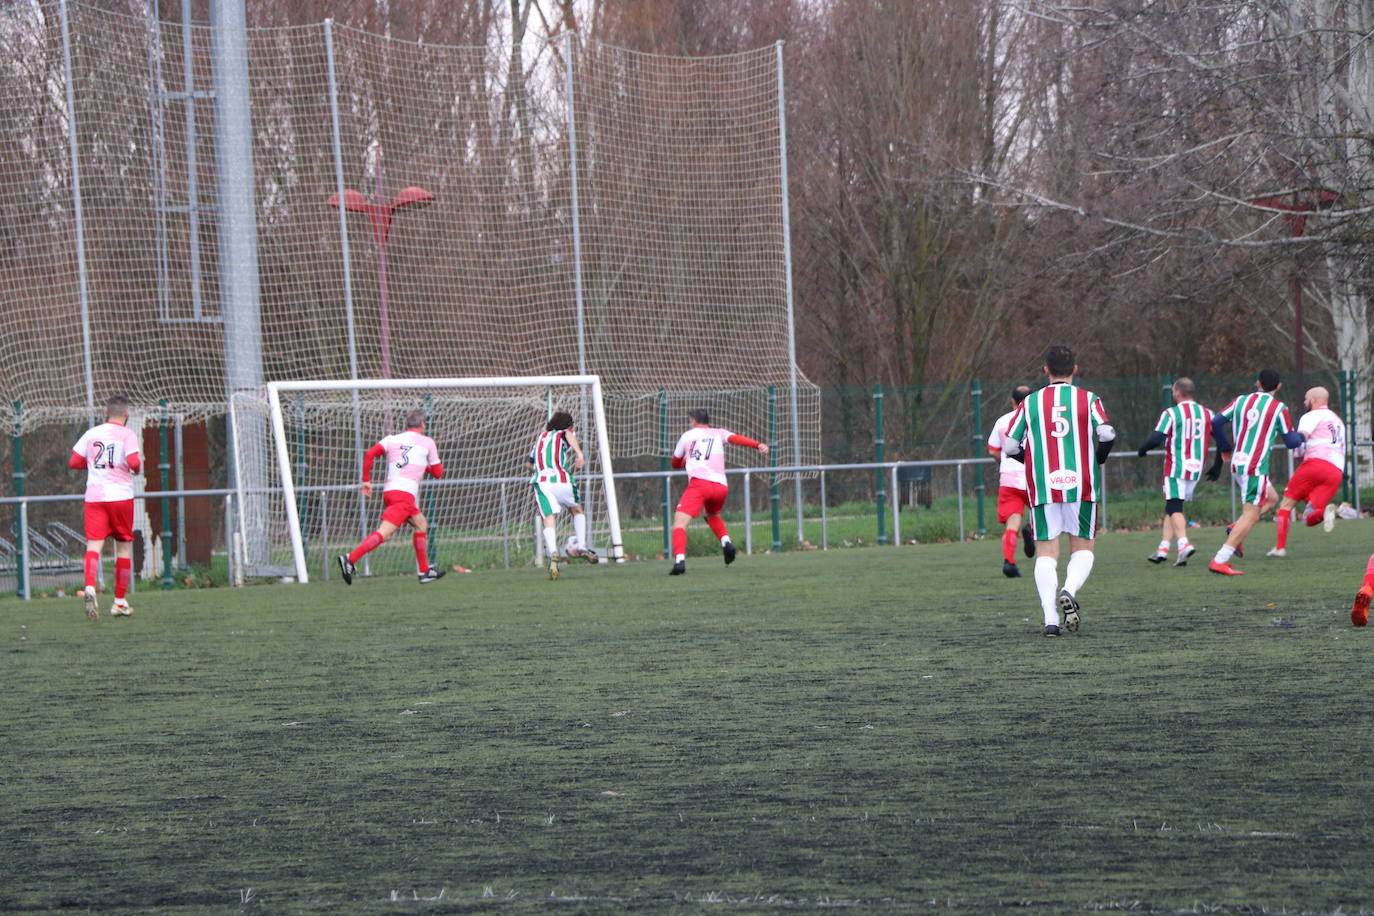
x: 1320, y: 476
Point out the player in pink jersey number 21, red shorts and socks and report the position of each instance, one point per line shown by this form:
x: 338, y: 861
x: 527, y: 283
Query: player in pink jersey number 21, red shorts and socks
x: 111, y: 457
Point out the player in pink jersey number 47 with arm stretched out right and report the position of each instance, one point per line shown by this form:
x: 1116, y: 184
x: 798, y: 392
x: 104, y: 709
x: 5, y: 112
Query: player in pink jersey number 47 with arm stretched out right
x: 703, y: 451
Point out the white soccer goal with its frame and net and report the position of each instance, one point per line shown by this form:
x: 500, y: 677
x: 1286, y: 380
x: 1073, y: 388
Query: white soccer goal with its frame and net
x: 297, y: 459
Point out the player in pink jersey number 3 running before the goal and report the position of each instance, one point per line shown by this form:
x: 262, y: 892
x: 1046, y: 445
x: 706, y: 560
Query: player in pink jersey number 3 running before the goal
x: 410, y: 457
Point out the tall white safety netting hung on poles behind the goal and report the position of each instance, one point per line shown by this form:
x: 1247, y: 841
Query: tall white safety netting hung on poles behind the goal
x: 670, y: 273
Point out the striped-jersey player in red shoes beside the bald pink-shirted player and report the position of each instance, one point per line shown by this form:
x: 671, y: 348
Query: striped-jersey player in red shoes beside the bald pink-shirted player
x: 1247, y: 429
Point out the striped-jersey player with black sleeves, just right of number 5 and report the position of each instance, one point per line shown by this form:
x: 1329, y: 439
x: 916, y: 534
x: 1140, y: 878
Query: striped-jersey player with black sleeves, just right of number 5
x: 1184, y: 432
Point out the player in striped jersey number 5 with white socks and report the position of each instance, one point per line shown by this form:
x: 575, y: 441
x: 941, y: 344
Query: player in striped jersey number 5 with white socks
x: 1064, y: 435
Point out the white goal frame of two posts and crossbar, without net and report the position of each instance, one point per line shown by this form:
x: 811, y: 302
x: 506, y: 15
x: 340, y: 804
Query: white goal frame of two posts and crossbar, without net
x: 274, y: 393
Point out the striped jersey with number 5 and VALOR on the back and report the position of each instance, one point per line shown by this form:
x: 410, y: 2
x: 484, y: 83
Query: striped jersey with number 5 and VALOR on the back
x: 1057, y: 428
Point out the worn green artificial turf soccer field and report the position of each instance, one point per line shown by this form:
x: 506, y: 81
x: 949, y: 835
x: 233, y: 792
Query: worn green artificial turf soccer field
x: 883, y: 729
